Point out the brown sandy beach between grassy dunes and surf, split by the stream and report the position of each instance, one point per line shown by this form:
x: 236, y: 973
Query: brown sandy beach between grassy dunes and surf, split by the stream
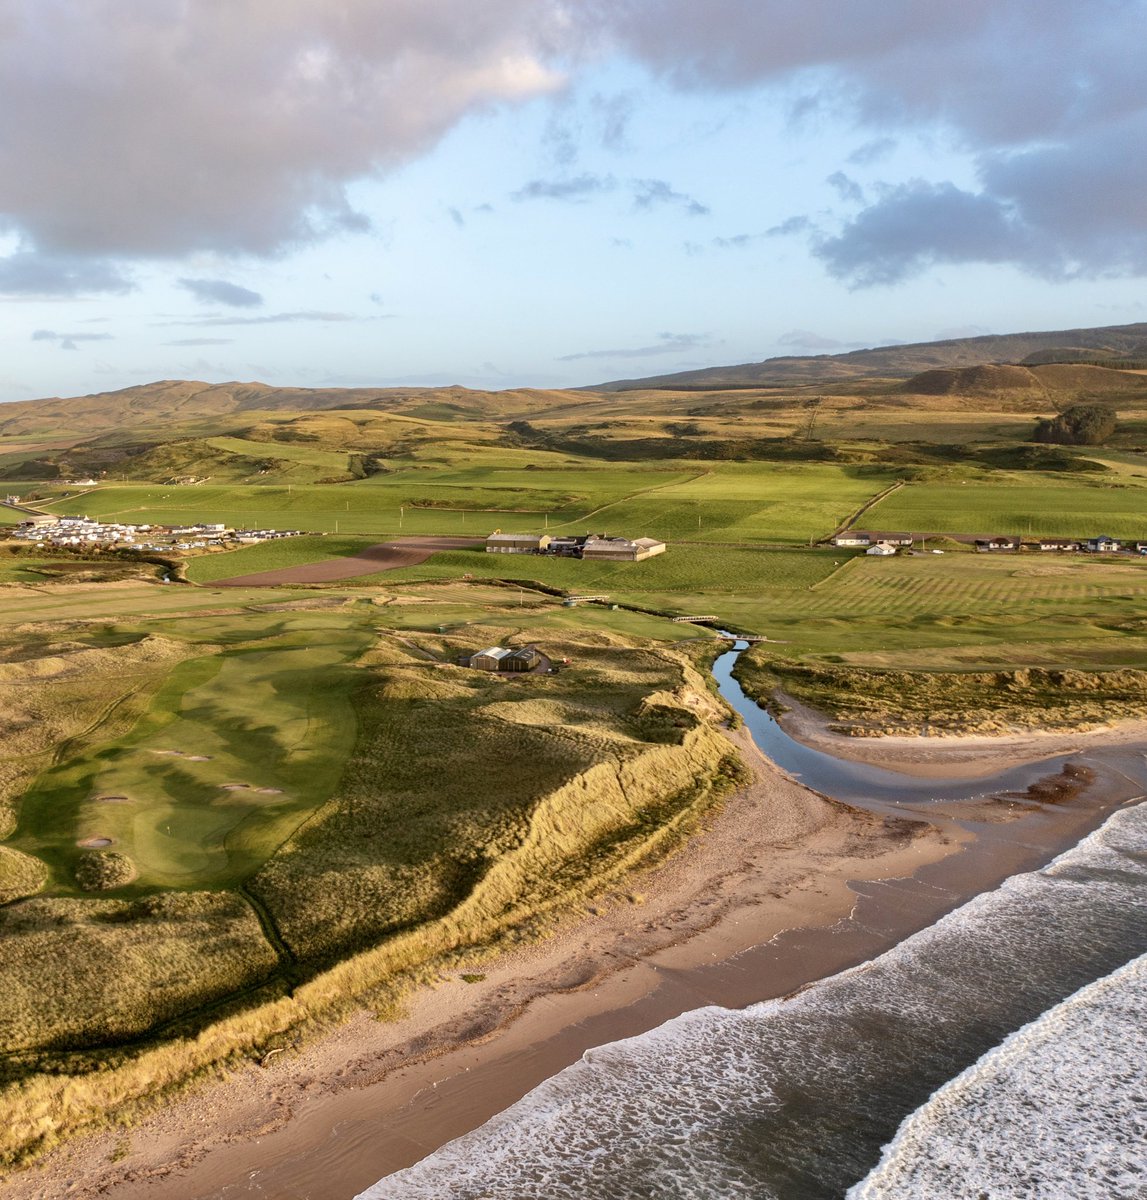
x: 785, y: 887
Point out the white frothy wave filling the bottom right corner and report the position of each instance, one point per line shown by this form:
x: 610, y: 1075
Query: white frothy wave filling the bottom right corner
x: 1056, y: 1113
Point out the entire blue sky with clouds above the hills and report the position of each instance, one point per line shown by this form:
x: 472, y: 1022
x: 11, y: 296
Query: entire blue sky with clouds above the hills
x: 554, y: 193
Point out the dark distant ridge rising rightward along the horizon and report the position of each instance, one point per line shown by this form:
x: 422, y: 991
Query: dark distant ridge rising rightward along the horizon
x: 1109, y: 345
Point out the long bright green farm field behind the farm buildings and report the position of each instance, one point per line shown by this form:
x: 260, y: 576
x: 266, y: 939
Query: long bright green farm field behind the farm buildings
x: 732, y: 503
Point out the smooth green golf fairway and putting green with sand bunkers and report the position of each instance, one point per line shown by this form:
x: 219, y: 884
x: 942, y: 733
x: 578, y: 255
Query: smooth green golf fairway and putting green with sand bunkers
x: 236, y: 751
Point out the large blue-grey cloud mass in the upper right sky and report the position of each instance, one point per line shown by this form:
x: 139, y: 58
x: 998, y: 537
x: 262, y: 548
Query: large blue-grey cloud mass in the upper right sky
x: 1047, y: 101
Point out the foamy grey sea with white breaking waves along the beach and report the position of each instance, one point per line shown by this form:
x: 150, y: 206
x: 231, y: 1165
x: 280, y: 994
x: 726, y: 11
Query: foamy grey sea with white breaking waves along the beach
x: 1019, y: 1015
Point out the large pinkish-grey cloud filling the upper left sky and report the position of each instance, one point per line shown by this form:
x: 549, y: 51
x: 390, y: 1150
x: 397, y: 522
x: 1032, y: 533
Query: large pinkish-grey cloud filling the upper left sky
x: 171, y: 129
